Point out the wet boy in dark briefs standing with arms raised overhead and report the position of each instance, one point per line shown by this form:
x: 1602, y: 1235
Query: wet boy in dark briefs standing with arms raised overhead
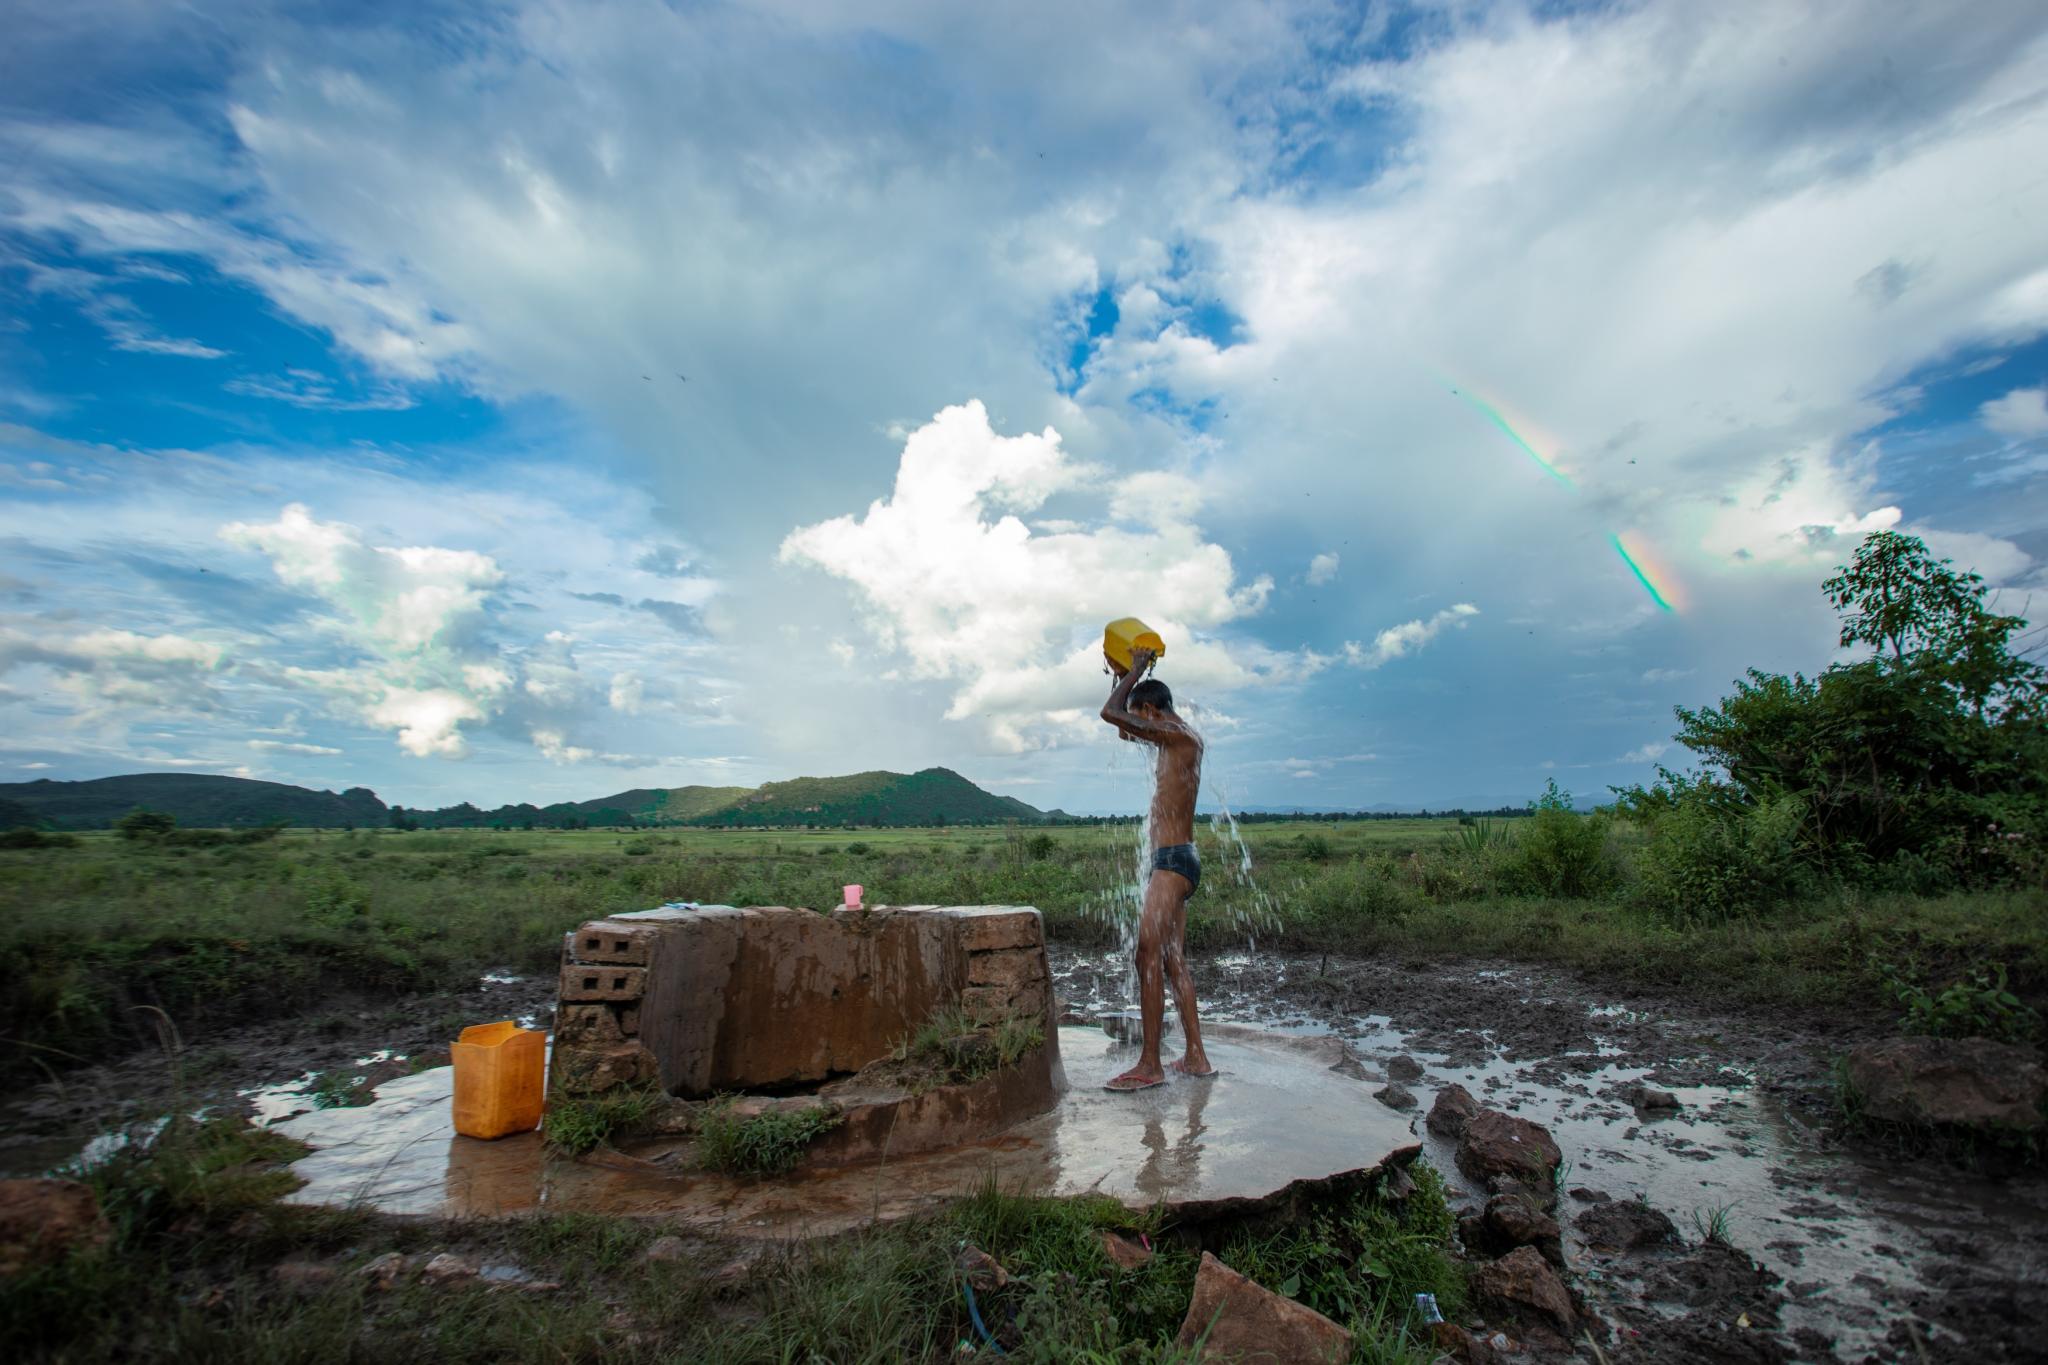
x: 1144, y: 711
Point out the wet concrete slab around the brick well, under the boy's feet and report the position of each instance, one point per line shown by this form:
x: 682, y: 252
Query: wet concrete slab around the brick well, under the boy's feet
x: 1277, y: 1114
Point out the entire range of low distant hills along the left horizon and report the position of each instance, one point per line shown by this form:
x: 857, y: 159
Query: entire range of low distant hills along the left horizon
x: 931, y: 797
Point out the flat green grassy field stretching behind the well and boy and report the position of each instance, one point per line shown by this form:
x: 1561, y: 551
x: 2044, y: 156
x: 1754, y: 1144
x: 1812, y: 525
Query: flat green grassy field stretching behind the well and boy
x: 230, y: 932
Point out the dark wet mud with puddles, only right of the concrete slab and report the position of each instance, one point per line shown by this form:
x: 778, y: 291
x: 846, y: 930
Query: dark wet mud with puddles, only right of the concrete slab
x: 1861, y: 1253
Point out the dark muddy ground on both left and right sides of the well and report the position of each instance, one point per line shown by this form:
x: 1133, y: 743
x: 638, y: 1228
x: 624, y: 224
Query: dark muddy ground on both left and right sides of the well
x: 1834, y: 1251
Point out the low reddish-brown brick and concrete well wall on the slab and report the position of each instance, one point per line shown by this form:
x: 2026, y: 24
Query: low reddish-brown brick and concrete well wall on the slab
x: 781, y: 1002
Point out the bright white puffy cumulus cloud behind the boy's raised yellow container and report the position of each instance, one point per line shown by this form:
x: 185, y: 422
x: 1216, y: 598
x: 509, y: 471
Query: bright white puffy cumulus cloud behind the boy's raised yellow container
x: 1011, y: 615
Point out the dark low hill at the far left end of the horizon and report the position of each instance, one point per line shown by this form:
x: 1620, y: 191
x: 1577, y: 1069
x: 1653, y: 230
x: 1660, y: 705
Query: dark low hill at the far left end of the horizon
x: 196, y: 799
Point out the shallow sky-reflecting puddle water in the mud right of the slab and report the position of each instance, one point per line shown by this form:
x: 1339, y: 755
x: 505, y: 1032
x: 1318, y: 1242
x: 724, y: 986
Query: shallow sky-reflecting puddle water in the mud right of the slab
x: 1848, y: 1243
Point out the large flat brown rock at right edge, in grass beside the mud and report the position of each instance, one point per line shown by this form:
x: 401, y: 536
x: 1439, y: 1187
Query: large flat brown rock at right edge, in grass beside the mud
x: 1949, y: 1082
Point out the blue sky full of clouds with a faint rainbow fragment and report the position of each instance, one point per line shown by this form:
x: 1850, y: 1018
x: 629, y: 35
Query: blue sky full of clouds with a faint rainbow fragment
x: 493, y: 402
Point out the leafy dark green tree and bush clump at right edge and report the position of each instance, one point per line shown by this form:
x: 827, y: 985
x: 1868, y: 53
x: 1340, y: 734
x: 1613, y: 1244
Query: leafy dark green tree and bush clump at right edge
x: 1912, y: 754
